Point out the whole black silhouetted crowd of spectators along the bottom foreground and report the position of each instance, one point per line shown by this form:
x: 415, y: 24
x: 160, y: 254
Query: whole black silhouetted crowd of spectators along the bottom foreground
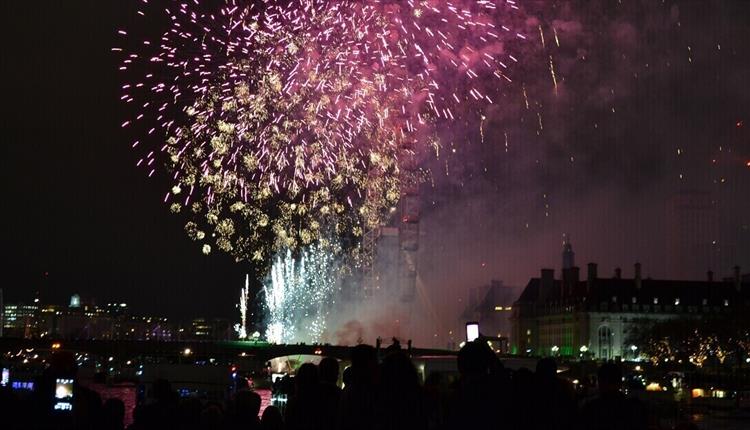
x: 377, y: 394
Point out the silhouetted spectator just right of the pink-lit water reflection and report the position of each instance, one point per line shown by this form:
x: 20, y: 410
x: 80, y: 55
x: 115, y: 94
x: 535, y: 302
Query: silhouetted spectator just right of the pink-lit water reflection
x: 303, y: 407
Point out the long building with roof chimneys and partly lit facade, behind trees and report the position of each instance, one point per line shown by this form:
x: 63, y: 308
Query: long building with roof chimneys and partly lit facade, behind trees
x: 594, y: 317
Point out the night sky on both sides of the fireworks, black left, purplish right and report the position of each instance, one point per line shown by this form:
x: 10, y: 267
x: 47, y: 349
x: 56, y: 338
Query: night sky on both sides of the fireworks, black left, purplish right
x: 647, y: 91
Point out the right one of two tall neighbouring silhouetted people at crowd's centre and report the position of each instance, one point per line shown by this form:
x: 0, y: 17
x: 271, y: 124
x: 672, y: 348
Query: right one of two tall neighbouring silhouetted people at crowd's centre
x: 400, y: 403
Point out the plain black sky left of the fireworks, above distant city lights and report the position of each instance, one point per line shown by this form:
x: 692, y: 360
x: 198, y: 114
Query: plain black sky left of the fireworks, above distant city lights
x: 75, y: 205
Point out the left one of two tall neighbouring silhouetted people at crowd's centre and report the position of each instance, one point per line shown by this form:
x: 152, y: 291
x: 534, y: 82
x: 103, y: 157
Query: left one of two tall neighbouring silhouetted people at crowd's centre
x: 358, y: 400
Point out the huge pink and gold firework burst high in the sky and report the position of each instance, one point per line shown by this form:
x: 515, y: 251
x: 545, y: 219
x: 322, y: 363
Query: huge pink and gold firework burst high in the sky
x: 288, y: 124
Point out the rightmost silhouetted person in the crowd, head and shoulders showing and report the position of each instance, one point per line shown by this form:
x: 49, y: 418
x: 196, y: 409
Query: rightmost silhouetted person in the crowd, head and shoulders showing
x: 611, y: 409
